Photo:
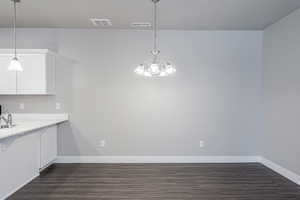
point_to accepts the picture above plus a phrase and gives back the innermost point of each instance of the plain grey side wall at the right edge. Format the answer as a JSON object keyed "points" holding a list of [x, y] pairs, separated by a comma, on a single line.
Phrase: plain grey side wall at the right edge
{"points": [[280, 141]]}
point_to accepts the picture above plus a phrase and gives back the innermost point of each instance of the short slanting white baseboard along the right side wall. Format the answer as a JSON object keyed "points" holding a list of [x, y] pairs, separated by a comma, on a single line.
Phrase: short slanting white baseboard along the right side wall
{"points": [[281, 170]]}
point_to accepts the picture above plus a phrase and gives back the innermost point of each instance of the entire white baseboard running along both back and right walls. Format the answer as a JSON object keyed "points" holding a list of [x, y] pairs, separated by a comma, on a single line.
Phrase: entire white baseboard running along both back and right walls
{"points": [[182, 159]]}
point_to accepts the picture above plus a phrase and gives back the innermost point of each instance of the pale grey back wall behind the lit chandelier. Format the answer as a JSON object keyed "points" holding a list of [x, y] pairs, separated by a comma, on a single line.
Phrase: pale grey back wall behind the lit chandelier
{"points": [[215, 95]]}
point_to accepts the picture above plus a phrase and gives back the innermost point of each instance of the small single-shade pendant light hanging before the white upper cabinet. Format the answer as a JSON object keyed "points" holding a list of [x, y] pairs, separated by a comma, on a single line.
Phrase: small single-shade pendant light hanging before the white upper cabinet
{"points": [[15, 64]]}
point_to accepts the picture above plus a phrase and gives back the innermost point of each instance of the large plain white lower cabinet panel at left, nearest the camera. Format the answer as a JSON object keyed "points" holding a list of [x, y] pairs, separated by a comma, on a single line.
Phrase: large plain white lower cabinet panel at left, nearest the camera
{"points": [[19, 162]]}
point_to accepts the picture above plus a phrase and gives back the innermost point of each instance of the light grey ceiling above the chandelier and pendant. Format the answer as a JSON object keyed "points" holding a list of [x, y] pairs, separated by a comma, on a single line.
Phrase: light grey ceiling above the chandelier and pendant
{"points": [[173, 14]]}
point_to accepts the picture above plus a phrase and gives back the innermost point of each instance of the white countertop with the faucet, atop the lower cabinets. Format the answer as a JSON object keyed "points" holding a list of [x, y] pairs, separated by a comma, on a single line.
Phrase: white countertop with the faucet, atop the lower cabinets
{"points": [[30, 122]]}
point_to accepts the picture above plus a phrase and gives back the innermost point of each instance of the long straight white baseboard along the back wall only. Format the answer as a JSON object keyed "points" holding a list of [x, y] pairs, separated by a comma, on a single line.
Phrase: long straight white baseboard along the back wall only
{"points": [[157, 159]]}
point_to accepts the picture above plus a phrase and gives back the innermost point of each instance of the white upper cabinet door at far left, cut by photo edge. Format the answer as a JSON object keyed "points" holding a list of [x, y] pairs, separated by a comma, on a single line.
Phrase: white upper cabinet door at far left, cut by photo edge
{"points": [[7, 78]]}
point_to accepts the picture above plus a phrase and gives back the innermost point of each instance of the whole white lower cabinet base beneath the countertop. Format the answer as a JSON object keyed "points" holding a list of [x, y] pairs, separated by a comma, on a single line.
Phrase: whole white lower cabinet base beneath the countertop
{"points": [[22, 157]]}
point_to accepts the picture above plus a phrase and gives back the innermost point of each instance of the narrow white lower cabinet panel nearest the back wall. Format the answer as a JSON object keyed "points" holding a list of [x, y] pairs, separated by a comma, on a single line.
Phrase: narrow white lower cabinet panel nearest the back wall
{"points": [[48, 145]]}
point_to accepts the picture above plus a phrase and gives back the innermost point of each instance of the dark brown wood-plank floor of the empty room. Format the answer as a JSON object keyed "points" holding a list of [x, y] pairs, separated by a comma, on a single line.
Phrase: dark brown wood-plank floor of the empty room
{"points": [[159, 181]]}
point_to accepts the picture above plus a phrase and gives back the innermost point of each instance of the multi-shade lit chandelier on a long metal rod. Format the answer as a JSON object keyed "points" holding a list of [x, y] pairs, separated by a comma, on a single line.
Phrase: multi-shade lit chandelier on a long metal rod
{"points": [[155, 68]]}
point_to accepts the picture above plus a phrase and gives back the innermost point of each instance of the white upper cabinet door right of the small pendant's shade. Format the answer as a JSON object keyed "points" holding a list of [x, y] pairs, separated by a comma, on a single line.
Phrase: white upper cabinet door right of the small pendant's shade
{"points": [[33, 78]]}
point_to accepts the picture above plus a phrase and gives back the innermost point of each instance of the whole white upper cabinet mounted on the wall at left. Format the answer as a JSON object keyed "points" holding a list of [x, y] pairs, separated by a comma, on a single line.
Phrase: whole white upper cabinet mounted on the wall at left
{"points": [[37, 77]]}
